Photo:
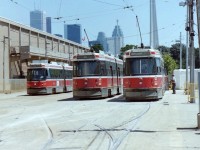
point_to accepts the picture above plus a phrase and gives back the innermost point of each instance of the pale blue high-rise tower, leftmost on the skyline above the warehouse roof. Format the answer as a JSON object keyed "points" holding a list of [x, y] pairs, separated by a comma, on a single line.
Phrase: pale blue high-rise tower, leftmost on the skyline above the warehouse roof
{"points": [[38, 20]]}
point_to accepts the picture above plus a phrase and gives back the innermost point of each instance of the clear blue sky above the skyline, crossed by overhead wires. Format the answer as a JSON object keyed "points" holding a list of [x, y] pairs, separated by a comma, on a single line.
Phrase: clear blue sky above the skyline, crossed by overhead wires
{"points": [[101, 15]]}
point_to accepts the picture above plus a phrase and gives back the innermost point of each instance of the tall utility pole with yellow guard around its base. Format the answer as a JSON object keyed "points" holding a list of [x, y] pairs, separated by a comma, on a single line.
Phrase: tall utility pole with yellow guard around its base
{"points": [[191, 46]]}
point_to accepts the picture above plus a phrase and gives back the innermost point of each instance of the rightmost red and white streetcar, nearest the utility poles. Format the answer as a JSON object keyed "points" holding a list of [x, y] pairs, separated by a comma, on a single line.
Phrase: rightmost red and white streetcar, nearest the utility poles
{"points": [[144, 74]]}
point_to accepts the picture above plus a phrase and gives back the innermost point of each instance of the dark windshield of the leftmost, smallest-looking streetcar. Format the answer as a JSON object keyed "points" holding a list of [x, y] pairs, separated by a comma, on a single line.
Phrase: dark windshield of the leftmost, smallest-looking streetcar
{"points": [[36, 74]]}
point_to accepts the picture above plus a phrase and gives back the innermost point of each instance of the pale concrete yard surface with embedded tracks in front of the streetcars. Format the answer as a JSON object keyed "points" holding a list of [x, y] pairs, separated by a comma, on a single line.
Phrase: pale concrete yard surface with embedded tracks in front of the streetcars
{"points": [[49, 122]]}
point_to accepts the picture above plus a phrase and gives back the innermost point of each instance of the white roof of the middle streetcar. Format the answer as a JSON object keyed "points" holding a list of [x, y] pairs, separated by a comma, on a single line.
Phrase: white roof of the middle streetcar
{"points": [[91, 56]]}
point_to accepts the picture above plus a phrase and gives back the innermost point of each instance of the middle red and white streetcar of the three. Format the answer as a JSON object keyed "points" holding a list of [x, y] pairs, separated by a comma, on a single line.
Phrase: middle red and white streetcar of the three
{"points": [[96, 75]]}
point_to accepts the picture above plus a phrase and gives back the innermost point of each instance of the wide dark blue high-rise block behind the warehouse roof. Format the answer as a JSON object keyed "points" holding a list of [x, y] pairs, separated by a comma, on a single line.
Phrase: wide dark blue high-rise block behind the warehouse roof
{"points": [[72, 32]]}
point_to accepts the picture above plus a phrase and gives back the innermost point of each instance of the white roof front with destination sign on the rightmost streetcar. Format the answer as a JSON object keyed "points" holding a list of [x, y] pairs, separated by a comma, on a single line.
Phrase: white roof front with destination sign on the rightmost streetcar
{"points": [[142, 53]]}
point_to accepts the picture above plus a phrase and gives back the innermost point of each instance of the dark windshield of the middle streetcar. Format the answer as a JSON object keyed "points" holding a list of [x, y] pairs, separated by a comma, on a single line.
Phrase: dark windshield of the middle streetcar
{"points": [[86, 68]]}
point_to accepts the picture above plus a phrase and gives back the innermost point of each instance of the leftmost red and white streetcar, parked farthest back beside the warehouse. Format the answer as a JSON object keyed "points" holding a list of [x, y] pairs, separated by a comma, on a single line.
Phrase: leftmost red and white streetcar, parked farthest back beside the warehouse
{"points": [[48, 78]]}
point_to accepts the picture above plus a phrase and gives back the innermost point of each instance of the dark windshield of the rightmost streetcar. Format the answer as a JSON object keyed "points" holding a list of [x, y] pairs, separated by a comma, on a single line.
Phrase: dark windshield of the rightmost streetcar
{"points": [[140, 66]]}
